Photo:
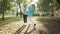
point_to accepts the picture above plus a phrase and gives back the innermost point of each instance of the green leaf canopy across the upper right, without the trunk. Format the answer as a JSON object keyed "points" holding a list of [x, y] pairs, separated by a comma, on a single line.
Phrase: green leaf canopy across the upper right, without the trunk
{"points": [[48, 4]]}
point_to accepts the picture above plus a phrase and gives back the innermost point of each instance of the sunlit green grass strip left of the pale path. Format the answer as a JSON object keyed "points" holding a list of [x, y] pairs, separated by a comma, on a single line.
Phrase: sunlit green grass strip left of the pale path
{"points": [[8, 20]]}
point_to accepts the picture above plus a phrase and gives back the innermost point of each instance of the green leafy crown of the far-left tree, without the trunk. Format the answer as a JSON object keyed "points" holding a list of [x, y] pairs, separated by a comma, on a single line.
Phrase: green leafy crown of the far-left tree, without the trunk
{"points": [[4, 5]]}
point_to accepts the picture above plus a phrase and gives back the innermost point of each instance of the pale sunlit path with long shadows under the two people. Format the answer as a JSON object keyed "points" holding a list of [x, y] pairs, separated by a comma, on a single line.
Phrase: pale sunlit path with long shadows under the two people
{"points": [[18, 27]]}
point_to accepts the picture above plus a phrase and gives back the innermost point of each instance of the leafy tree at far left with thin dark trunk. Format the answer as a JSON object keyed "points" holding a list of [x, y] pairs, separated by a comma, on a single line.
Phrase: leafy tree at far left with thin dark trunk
{"points": [[5, 5]]}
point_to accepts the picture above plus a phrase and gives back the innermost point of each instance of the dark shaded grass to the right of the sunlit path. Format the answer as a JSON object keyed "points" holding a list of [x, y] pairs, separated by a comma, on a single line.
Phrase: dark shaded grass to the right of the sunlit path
{"points": [[51, 23]]}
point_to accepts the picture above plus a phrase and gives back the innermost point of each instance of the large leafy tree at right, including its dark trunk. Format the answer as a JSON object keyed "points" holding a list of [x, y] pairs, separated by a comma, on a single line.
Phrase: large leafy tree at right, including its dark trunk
{"points": [[47, 5]]}
